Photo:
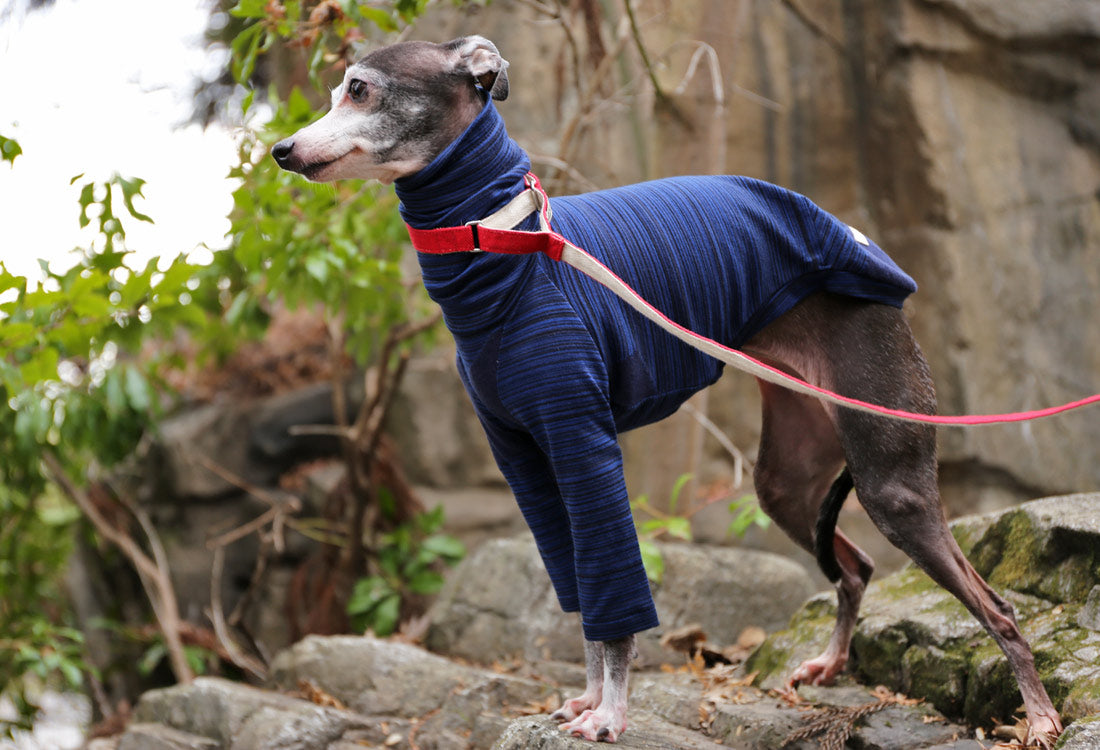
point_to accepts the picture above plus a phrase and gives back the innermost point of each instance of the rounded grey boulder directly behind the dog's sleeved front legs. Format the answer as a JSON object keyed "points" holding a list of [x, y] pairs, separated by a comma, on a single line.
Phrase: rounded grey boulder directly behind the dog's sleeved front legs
{"points": [[483, 615]]}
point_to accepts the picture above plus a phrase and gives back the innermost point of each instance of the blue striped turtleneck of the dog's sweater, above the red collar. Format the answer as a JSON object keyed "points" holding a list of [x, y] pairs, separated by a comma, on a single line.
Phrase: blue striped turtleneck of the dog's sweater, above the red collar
{"points": [[474, 178]]}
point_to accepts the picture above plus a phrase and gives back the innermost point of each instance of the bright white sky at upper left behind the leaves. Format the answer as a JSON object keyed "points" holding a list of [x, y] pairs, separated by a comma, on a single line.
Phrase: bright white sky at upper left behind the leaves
{"points": [[98, 87]]}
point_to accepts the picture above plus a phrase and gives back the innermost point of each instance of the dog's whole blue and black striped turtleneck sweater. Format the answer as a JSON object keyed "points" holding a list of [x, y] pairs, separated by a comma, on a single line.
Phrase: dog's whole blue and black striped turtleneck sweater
{"points": [[557, 366]]}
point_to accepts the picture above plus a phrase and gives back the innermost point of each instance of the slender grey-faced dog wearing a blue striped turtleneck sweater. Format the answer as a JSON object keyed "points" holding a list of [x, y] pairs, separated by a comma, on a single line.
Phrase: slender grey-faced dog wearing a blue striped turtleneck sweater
{"points": [[556, 367]]}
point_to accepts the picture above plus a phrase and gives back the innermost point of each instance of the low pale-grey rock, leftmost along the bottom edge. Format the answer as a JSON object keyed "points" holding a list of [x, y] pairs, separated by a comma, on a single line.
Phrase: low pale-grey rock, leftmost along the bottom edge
{"points": [[244, 718]]}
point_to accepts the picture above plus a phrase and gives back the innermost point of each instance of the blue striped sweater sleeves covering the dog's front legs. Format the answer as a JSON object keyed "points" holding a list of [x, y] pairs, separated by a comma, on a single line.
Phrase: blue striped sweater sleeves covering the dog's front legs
{"points": [[564, 462]]}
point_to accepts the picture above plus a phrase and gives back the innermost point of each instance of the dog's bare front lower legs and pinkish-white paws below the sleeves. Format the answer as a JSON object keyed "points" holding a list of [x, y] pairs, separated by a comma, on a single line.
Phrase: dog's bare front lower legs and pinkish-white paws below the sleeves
{"points": [[609, 667]]}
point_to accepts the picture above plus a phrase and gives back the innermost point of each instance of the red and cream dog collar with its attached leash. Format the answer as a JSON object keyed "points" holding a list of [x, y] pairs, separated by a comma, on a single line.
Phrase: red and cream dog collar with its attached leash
{"points": [[488, 236]]}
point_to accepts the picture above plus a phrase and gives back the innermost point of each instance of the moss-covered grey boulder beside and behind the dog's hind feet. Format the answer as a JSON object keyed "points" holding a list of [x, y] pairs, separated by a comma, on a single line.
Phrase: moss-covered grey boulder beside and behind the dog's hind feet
{"points": [[914, 637]]}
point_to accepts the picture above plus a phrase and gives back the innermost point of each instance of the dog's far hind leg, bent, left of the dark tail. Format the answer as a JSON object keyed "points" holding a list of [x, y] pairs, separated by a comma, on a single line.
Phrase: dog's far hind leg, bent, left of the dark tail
{"points": [[800, 457]]}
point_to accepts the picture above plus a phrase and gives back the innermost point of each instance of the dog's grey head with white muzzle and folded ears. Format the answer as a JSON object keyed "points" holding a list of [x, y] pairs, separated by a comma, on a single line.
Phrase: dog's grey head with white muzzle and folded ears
{"points": [[397, 109]]}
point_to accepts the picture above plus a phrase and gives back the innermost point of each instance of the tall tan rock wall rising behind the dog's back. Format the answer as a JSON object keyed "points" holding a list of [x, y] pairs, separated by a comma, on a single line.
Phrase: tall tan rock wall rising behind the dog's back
{"points": [[962, 135]]}
